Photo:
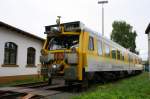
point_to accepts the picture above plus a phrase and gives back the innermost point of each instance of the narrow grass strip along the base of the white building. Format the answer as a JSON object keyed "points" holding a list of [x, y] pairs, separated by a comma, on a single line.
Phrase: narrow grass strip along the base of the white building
{"points": [[25, 81]]}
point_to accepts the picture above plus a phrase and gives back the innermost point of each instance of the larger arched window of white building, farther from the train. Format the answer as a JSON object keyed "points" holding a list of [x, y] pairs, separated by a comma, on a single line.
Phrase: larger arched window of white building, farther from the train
{"points": [[10, 54]]}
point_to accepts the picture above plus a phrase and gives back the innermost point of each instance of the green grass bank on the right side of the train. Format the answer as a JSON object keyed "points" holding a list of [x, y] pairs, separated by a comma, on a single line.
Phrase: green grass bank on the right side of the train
{"points": [[136, 87]]}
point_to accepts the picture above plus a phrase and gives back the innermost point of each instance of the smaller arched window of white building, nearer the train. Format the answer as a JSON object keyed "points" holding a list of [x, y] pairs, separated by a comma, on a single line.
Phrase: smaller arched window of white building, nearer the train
{"points": [[30, 56]]}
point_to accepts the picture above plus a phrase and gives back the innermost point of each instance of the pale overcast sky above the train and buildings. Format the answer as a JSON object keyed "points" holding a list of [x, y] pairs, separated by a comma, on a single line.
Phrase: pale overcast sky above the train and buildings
{"points": [[33, 15]]}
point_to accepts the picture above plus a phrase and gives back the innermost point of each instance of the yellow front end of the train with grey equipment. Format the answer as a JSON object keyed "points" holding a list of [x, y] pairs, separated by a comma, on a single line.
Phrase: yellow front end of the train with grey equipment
{"points": [[61, 53]]}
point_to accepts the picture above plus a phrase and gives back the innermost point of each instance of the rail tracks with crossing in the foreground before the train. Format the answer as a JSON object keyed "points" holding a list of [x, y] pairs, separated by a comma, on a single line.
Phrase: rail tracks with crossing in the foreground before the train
{"points": [[39, 90]]}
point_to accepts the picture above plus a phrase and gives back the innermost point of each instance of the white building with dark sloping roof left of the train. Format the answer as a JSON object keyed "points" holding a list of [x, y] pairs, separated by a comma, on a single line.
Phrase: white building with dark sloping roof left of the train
{"points": [[19, 53]]}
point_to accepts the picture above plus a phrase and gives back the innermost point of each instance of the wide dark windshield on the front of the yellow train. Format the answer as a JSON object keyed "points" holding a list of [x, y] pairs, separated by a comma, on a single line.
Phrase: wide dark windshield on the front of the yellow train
{"points": [[63, 42]]}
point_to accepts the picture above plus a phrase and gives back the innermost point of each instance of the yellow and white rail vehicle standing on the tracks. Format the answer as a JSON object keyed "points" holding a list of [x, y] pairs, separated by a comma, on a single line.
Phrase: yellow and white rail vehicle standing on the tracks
{"points": [[76, 53]]}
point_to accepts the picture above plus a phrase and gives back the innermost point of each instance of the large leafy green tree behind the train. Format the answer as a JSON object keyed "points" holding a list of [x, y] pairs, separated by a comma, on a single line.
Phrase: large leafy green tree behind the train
{"points": [[122, 34]]}
